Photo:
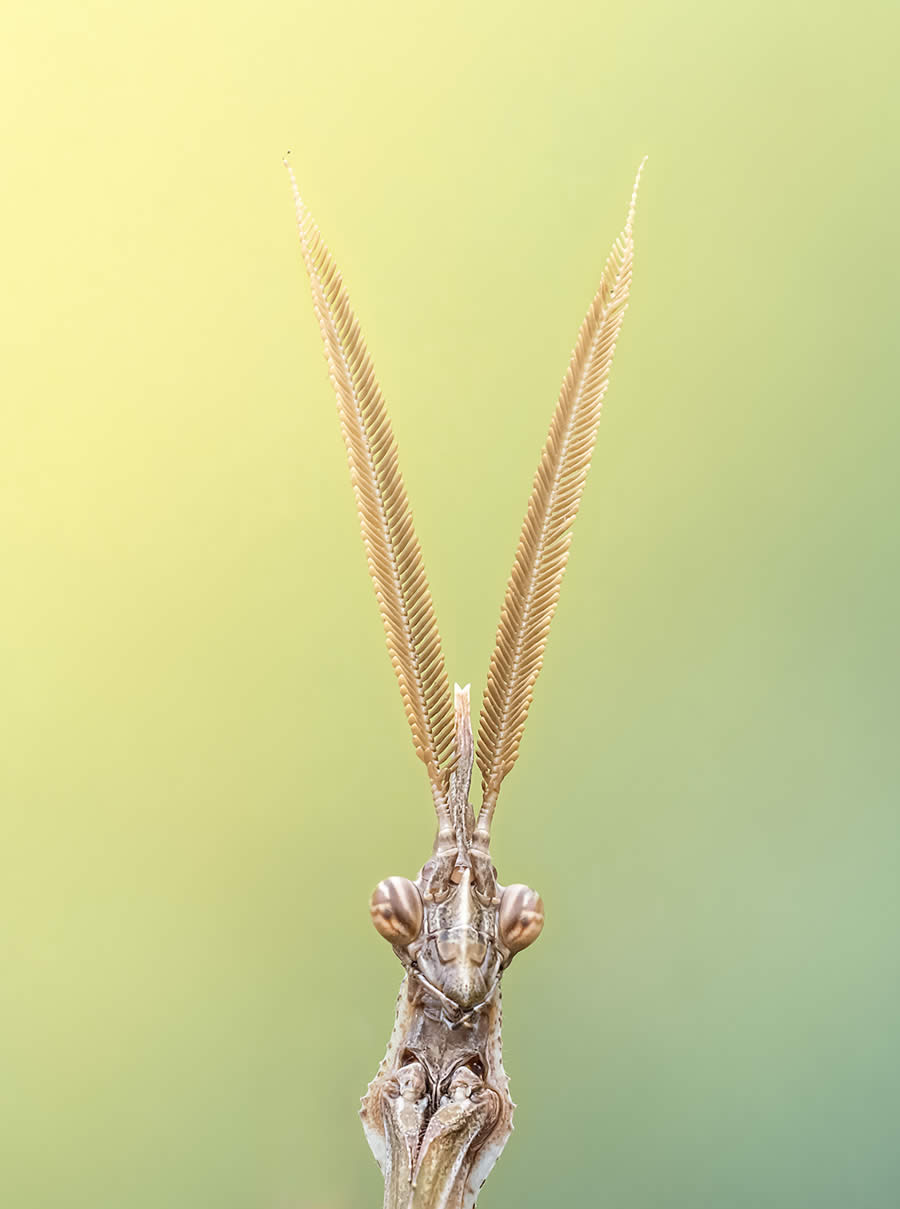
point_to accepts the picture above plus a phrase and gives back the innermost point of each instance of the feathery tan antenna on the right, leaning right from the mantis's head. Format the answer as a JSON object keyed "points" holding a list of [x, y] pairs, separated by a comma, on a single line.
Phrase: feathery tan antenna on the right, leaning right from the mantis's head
{"points": [[533, 591]]}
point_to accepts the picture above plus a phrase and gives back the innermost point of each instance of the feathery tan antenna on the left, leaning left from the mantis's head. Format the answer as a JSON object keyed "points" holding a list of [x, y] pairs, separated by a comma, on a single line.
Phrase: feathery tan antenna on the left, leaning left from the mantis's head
{"points": [[391, 546]]}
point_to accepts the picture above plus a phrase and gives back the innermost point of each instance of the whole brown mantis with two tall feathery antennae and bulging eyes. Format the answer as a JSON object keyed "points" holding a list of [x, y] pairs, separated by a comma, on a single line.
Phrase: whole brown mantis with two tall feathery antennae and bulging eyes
{"points": [[439, 1113]]}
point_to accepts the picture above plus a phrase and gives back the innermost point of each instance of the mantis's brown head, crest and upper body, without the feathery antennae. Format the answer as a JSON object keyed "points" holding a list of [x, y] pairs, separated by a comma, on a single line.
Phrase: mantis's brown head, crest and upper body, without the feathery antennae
{"points": [[439, 1113]]}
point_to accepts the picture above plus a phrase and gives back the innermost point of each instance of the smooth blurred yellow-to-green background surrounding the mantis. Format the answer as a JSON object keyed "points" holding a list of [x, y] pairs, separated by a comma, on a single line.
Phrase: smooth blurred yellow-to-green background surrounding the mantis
{"points": [[205, 761]]}
